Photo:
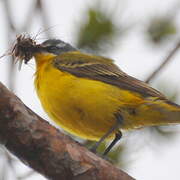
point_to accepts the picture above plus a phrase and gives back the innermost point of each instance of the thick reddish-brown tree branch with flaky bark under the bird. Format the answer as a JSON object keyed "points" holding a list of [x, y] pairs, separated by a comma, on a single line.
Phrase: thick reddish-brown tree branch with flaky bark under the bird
{"points": [[42, 147]]}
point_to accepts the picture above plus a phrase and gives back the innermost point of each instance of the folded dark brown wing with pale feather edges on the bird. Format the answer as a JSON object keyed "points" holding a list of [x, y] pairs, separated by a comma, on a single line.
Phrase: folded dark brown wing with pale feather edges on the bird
{"points": [[102, 69]]}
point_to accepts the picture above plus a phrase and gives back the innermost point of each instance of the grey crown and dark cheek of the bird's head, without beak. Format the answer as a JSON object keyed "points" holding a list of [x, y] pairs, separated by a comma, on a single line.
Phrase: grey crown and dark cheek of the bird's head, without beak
{"points": [[57, 46]]}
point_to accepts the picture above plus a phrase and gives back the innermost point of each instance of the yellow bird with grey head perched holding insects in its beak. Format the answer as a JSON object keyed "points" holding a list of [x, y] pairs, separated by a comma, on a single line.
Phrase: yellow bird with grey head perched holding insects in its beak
{"points": [[89, 96]]}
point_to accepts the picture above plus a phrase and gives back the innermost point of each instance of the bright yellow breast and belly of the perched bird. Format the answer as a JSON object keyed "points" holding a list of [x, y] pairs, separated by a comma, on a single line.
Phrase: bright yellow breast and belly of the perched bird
{"points": [[83, 107]]}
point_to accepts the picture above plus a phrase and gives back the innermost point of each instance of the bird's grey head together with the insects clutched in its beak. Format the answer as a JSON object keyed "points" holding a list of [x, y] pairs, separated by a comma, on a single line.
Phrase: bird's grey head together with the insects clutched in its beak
{"points": [[25, 48]]}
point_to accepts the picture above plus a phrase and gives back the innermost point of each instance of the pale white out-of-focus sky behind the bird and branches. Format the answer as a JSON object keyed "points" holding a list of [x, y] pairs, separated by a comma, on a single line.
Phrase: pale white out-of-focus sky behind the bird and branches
{"points": [[133, 55]]}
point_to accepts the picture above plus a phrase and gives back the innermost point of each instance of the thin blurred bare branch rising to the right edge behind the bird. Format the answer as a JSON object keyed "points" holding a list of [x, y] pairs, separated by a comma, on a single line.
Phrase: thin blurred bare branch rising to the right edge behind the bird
{"points": [[164, 63]]}
